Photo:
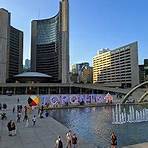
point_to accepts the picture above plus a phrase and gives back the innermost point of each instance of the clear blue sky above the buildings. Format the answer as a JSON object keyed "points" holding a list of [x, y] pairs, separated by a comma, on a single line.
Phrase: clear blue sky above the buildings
{"points": [[94, 24]]}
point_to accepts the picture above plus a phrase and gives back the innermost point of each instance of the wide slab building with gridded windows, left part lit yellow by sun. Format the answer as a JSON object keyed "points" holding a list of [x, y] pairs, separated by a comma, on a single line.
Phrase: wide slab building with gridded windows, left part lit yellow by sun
{"points": [[117, 67]]}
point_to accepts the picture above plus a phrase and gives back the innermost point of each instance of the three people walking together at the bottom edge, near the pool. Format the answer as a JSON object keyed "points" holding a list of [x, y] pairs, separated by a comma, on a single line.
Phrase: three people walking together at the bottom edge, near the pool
{"points": [[71, 140]]}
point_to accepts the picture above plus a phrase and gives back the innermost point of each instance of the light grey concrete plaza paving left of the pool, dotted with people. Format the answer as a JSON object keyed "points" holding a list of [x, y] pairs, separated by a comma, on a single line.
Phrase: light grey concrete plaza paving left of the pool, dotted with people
{"points": [[43, 135]]}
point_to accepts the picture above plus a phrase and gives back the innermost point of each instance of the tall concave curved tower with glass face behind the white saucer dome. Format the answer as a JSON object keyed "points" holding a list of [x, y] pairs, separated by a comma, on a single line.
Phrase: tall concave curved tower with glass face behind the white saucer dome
{"points": [[50, 45]]}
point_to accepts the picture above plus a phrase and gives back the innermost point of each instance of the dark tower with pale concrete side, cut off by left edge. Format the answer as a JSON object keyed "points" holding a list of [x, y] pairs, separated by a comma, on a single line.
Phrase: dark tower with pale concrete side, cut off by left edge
{"points": [[11, 48]]}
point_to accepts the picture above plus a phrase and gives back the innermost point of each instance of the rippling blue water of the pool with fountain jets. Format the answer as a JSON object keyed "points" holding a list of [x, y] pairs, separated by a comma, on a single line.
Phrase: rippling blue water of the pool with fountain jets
{"points": [[95, 124]]}
